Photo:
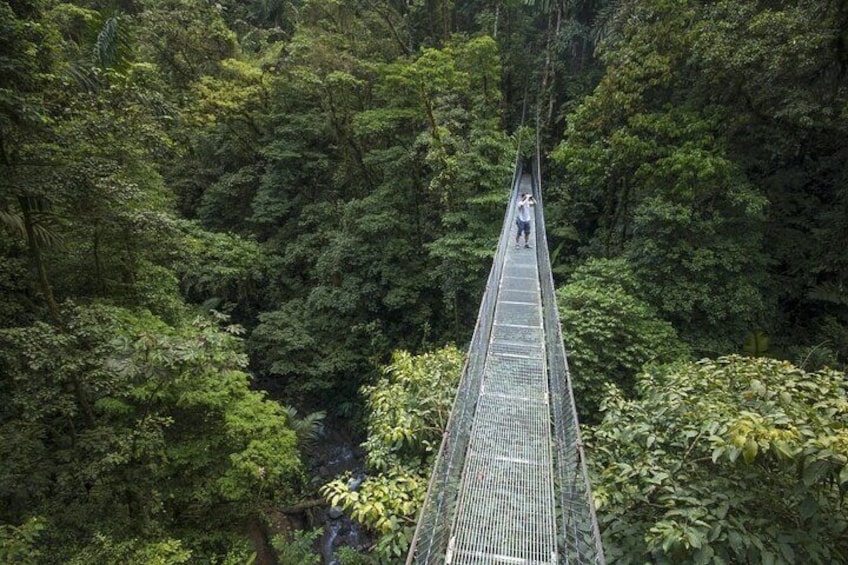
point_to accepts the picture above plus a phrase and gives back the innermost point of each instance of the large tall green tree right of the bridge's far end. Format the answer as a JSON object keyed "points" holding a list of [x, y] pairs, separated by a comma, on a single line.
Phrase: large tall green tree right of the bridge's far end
{"points": [[651, 179]]}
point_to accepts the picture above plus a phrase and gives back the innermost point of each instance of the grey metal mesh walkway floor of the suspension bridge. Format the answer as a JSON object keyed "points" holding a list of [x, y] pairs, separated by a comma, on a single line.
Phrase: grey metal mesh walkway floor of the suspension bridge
{"points": [[505, 512]]}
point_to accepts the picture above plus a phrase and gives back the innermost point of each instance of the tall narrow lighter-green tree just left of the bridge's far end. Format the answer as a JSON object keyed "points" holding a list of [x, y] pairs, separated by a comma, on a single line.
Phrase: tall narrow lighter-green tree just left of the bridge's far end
{"points": [[453, 91]]}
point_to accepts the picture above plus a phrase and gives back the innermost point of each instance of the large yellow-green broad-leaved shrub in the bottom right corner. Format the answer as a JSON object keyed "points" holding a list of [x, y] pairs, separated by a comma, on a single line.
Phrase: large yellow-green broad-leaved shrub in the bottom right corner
{"points": [[734, 460]]}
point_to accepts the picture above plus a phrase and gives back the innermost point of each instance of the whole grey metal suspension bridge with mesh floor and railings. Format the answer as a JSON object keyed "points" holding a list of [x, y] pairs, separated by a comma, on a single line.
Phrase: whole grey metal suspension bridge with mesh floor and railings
{"points": [[509, 485]]}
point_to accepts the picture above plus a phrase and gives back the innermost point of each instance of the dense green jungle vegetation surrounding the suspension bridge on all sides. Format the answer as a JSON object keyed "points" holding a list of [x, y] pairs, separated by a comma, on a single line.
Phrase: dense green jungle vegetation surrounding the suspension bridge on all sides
{"points": [[225, 221]]}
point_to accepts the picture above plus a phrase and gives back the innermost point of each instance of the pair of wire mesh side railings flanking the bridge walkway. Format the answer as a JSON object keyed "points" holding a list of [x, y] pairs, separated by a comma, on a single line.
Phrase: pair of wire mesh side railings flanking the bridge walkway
{"points": [[579, 535]]}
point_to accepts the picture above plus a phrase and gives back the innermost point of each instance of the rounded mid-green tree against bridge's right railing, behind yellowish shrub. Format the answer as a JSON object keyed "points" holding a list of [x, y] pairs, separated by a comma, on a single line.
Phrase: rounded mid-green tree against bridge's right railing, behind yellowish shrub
{"points": [[610, 333]]}
